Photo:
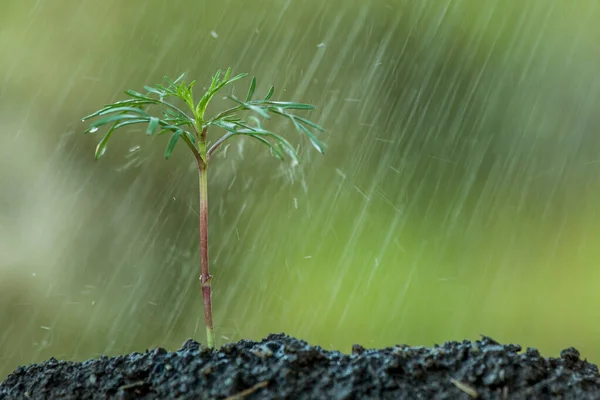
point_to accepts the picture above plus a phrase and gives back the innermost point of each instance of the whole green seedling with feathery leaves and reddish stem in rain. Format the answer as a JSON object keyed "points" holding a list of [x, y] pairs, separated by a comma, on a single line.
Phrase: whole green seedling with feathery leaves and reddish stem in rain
{"points": [[191, 127]]}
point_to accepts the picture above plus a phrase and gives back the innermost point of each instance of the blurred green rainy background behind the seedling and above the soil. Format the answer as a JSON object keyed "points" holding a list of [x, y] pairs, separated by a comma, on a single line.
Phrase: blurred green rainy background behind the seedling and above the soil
{"points": [[459, 194]]}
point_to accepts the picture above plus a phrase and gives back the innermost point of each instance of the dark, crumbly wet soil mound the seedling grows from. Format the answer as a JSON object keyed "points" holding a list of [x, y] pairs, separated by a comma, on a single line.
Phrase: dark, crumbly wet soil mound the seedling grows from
{"points": [[281, 367]]}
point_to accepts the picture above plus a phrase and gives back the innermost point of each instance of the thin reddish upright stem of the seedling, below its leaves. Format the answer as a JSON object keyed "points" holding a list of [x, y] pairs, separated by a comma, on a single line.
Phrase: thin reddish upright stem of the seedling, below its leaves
{"points": [[205, 277]]}
